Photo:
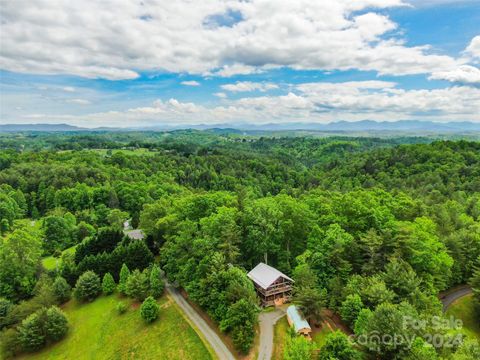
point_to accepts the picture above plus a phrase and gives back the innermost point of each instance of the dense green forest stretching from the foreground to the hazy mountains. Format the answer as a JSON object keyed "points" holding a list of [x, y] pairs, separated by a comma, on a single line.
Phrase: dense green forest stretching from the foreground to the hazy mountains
{"points": [[372, 229]]}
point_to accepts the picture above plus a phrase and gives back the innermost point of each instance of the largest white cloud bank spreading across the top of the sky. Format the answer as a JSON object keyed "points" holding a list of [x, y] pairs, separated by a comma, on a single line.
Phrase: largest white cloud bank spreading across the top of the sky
{"points": [[118, 40]]}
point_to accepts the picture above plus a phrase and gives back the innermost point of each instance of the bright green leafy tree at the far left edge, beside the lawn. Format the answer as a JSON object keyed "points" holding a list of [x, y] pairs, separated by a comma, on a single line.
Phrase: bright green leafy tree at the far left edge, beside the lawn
{"points": [[20, 255]]}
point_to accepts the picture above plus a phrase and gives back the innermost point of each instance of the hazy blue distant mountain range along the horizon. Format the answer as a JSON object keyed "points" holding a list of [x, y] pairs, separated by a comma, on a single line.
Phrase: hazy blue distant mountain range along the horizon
{"points": [[340, 126]]}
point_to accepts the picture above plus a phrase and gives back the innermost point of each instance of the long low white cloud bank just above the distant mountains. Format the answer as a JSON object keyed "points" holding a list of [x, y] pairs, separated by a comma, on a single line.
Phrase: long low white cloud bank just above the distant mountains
{"points": [[311, 102]]}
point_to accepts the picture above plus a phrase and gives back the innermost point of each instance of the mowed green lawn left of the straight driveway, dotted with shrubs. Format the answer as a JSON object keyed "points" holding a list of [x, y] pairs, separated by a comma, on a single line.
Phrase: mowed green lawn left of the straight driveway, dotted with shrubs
{"points": [[97, 331]]}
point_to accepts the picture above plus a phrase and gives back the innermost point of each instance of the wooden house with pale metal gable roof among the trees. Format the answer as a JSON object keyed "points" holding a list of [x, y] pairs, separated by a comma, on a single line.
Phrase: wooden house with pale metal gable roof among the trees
{"points": [[272, 286]]}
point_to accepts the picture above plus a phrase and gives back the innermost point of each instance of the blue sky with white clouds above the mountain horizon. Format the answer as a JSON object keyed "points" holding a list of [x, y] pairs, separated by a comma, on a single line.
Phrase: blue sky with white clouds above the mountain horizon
{"points": [[141, 63]]}
